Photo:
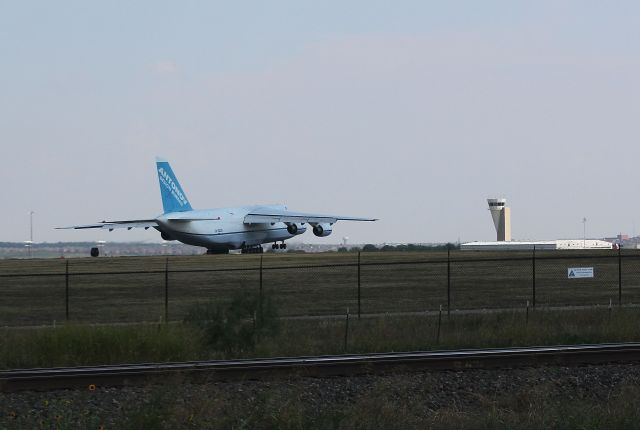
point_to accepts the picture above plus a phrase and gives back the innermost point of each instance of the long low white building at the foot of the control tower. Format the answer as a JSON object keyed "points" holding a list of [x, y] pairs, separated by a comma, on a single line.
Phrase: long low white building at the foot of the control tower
{"points": [[538, 245]]}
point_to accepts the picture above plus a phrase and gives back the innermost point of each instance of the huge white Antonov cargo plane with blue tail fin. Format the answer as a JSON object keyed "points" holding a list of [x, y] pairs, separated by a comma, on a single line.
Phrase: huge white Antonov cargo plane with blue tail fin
{"points": [[223, 229]]}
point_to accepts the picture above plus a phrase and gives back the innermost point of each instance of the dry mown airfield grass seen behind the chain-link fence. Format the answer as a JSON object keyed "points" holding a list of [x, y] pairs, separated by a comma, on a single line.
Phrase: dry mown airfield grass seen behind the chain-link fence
{"points": [[108, 290]]}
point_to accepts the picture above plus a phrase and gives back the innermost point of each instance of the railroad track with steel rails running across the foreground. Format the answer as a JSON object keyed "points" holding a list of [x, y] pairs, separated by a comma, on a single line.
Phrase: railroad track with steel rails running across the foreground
{"points": [[321, 366]]}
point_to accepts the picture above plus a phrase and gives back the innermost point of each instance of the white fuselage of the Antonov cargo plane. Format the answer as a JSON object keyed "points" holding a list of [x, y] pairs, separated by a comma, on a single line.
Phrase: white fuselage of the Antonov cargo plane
{"points": [[222, 228]]}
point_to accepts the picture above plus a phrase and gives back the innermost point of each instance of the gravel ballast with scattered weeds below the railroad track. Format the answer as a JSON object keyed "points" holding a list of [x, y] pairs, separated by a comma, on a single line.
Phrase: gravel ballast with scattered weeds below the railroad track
{"points": [[526, 397]]}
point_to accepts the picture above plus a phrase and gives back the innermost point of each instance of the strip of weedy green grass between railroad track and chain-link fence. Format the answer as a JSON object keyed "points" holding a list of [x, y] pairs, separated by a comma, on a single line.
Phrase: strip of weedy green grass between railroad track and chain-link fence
{"points": [[74, 345]]}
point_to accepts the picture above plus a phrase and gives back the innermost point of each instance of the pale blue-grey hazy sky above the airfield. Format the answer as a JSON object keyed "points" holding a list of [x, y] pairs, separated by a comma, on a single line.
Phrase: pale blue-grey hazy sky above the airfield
{"points": [[411, 111]]}
